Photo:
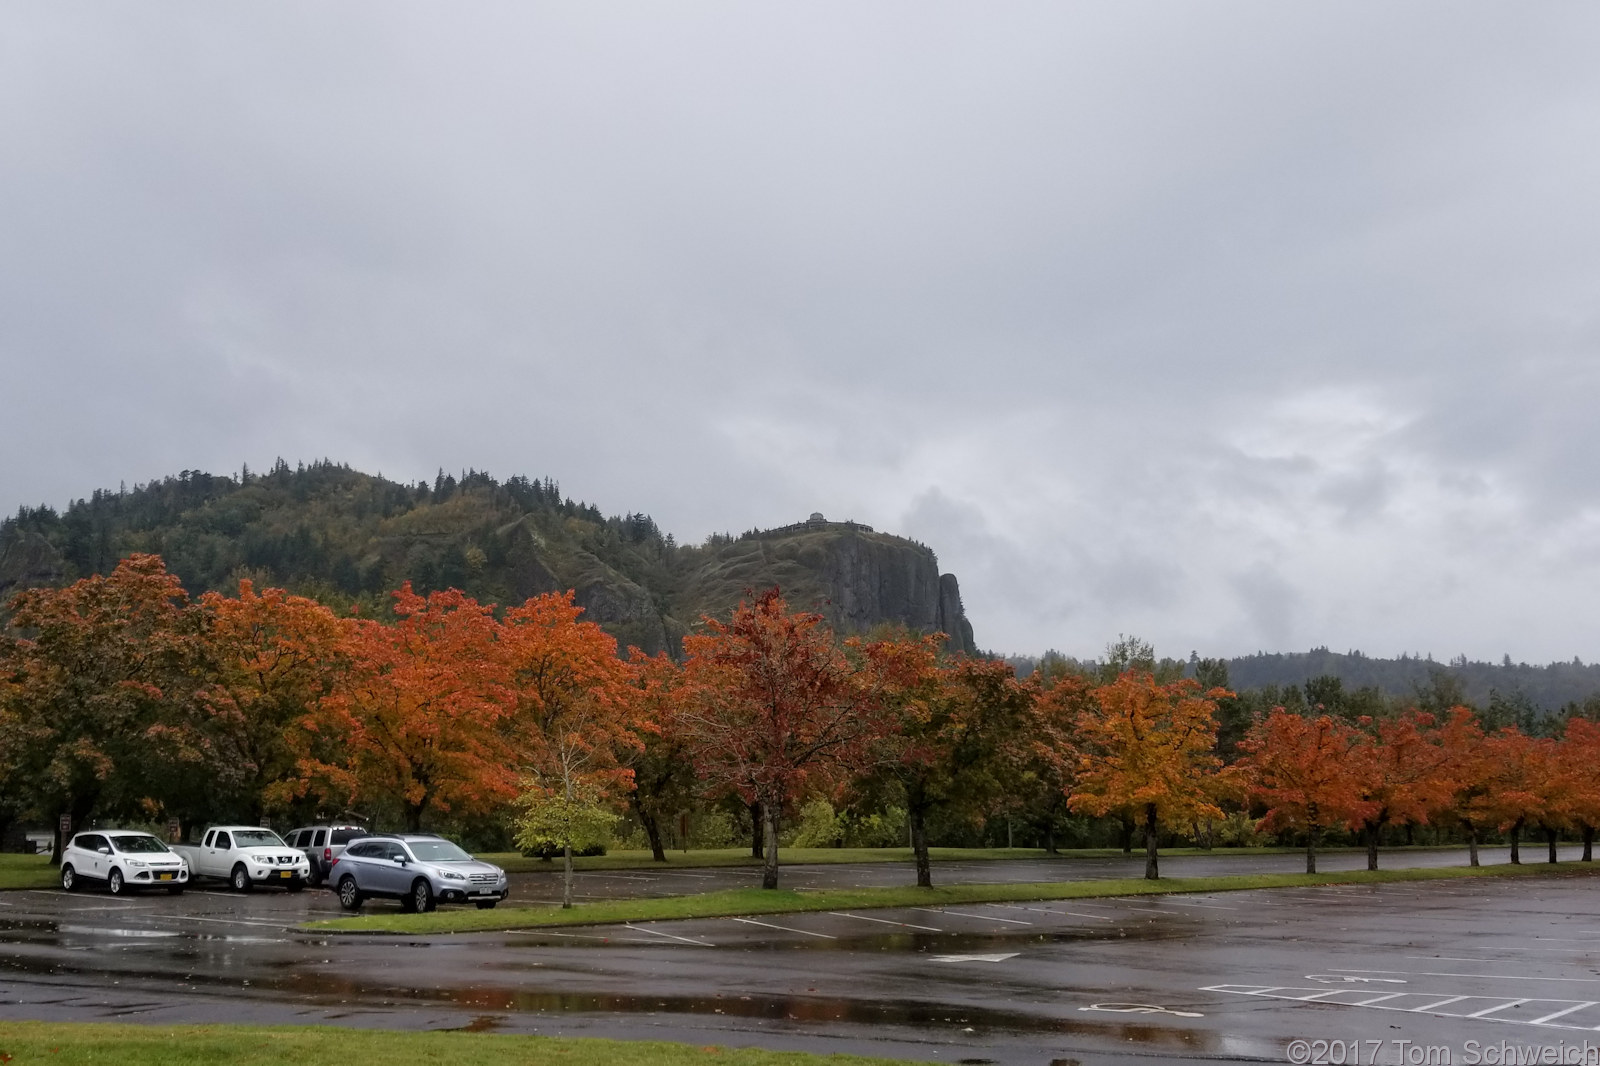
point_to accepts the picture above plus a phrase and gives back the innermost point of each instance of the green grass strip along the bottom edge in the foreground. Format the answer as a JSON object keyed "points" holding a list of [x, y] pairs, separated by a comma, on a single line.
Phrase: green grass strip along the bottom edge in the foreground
{"points": [[63, 1044]]}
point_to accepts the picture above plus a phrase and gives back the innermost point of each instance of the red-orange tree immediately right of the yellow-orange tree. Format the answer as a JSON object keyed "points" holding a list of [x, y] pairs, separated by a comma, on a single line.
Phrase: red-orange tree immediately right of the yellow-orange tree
{"points": [[1300, 769]]}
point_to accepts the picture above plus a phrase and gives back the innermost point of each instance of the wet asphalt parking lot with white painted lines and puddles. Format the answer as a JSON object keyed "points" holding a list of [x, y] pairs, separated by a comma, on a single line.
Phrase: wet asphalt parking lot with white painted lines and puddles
{"points": [[1404, 974]]}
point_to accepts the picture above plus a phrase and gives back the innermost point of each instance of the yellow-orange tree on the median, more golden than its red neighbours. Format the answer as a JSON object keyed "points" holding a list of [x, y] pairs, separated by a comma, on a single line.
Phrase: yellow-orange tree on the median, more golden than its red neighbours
{"points": [[1148, 755]]}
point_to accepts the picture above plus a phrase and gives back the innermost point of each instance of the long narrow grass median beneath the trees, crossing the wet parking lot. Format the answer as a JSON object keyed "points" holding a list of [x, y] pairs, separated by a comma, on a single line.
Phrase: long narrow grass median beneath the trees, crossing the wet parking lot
{"points": [[758, 902]]}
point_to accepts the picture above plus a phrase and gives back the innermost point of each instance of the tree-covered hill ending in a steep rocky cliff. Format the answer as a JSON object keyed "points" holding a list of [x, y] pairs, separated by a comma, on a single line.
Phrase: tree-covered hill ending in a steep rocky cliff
{"points": [[351, 539]]}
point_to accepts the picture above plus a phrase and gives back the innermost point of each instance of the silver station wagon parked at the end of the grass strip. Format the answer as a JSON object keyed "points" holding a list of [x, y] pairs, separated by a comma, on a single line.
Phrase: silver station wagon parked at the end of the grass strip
{"points": [[420, 872]]}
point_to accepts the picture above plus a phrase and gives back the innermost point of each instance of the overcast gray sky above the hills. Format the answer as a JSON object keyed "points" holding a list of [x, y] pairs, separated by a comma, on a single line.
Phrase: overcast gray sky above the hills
{"points": [[1231, 326]]}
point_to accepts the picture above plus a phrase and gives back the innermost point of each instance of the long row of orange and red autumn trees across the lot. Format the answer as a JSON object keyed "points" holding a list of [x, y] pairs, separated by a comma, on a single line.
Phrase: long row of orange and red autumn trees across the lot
{"points": [[124, 699]]}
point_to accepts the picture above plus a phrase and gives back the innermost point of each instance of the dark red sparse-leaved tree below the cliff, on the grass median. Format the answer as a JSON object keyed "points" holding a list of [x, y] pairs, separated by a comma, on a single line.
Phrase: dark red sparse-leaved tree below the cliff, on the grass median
{"points": [[777, 707]]}
